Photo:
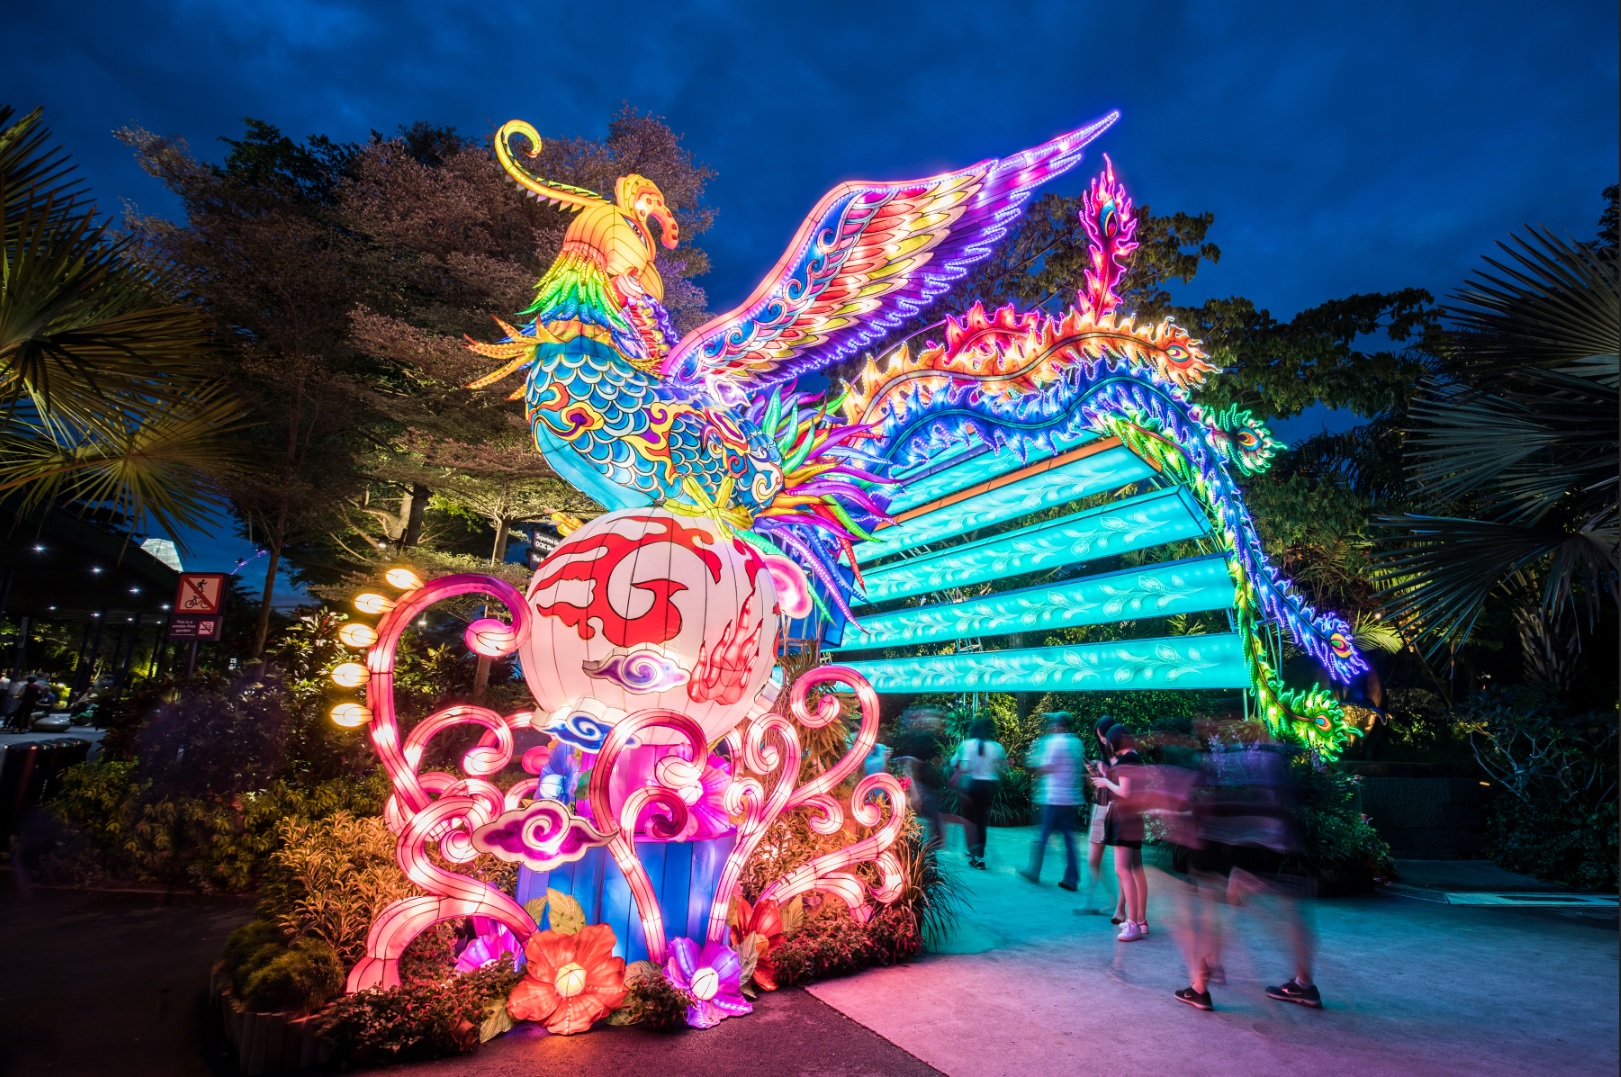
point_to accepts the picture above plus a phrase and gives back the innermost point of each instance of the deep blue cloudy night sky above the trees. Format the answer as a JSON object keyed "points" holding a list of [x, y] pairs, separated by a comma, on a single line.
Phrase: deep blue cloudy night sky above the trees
{"points": [[1343, 148]]}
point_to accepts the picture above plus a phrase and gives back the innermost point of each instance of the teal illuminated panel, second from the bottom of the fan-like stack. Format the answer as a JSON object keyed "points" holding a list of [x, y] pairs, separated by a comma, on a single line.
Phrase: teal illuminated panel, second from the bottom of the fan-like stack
{"points": [[1157, 591]]}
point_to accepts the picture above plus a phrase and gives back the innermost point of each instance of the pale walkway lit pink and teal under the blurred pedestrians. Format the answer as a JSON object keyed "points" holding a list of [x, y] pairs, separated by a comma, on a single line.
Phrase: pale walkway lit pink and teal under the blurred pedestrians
{"points": [[1409, 989]]}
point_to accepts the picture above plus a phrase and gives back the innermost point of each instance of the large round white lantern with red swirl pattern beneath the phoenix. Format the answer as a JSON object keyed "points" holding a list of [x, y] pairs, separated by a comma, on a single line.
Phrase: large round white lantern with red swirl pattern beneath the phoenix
{"points": [[648, 609]]}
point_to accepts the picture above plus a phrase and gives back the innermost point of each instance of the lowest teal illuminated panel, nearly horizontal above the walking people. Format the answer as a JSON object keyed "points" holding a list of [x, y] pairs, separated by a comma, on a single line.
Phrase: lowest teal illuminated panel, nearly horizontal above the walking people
{"points": [[1171, 663]]}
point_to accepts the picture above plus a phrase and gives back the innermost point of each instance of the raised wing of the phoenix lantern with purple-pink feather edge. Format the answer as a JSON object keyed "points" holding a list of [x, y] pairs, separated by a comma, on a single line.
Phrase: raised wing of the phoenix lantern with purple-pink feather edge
{"points": [[866, 260]]}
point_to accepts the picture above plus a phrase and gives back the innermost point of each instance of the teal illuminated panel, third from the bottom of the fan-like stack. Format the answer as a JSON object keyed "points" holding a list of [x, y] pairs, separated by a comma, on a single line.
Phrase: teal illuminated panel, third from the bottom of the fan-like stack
{"points": [[1137, 523]]}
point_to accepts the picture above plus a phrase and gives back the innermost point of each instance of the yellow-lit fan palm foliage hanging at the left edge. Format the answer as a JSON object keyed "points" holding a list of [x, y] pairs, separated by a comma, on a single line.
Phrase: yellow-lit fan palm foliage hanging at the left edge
{"points": [[105, 382]]}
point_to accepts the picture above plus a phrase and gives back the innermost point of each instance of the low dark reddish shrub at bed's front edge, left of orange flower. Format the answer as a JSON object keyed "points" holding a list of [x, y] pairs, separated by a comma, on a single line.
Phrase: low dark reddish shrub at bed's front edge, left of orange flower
{"points": [[417, 1019]]}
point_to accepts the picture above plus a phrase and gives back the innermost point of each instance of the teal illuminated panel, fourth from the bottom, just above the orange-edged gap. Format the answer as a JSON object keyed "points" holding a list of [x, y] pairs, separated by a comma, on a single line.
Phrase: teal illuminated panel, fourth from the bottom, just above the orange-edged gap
{"points": [[1077, 479]]}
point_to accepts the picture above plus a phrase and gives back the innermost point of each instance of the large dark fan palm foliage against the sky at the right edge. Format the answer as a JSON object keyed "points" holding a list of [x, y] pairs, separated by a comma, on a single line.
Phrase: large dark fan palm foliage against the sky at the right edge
{"points": [[1523, 440]]}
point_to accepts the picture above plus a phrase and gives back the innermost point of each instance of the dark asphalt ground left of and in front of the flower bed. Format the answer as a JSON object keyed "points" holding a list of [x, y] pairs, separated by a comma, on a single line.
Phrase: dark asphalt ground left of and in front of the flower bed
{"points": [[96, 984]]}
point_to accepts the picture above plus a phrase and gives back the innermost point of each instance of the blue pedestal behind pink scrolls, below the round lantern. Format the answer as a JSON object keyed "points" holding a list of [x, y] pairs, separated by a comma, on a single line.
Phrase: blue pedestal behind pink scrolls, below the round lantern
{"points": [[683, 875]]}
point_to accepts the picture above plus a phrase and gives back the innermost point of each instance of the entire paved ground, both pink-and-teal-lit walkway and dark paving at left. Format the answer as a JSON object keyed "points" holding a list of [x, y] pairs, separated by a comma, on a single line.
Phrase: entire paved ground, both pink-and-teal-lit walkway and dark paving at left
{"points": [[96, 982]]}
